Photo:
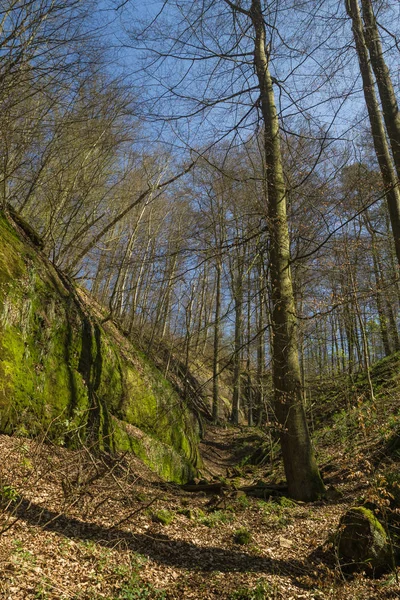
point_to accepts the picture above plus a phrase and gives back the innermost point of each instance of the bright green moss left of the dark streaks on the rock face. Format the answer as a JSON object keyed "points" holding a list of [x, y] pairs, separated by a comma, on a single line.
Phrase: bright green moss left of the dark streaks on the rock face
{"points": [[35, 358]]}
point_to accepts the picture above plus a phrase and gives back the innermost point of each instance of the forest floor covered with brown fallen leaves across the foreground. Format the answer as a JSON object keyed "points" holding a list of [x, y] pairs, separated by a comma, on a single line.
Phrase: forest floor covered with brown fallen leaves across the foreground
{"points": [[78, 526]]}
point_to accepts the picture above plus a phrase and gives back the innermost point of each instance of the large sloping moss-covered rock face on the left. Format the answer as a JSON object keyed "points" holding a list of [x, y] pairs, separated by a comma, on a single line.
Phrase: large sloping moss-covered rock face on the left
{"points": [[65, 376]]}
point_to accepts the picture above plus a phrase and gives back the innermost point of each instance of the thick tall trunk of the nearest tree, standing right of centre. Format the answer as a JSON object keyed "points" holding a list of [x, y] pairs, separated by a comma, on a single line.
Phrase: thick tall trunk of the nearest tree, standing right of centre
{"points": [[303, 478]]}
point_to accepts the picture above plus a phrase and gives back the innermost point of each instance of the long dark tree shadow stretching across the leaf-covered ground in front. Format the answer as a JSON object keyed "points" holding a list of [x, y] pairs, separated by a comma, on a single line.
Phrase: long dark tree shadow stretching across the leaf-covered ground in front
{"points": [[159, 547]]}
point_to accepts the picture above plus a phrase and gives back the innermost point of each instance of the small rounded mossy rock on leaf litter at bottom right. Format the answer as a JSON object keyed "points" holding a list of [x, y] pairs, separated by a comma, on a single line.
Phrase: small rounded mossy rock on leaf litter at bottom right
{"points": [[362, 542]]}
